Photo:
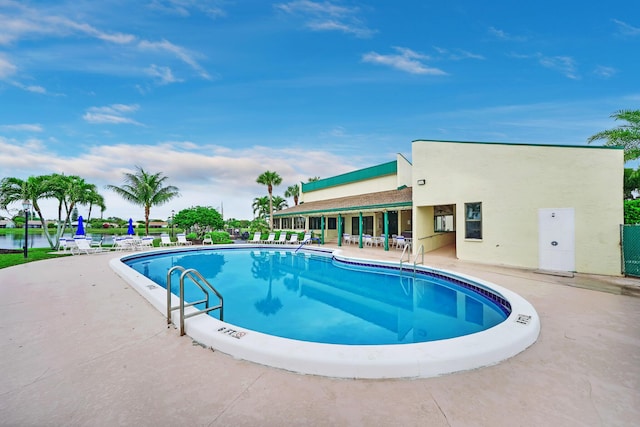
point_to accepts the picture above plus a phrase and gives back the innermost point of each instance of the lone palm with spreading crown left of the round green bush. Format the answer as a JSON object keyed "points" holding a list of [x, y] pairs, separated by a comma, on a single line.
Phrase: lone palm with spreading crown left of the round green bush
{"points": [[145, 189]]}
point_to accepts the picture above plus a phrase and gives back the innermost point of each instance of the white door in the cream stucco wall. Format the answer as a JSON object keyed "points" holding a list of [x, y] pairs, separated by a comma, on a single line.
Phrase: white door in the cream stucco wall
{"points": [[556, 228]]}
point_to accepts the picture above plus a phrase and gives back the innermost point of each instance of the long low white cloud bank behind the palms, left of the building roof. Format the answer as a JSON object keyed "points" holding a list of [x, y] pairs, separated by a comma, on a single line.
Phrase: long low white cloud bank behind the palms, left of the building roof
{"points": [[212, 176]]}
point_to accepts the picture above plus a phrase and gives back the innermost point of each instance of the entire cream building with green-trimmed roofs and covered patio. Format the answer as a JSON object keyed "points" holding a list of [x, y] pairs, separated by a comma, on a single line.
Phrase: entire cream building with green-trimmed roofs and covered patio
{"points": [[547, 207]]}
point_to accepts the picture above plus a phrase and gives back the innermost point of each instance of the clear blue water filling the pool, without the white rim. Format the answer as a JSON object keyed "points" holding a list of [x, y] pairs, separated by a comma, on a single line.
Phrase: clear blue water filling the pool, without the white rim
{"points": [[313, 297]]}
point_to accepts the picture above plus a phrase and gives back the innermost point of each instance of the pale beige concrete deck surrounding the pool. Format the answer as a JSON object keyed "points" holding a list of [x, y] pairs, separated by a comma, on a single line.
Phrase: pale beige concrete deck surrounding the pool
{"points": [[80, 347]]}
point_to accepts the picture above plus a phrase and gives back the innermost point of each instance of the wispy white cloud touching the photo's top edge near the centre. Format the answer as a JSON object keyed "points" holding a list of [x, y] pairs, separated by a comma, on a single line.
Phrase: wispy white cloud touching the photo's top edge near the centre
{"points": [[327, 16]]}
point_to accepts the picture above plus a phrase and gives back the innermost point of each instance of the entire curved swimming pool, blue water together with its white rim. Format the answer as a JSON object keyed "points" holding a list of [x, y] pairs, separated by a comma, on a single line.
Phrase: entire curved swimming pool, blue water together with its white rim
{"points": [[368, 357]]}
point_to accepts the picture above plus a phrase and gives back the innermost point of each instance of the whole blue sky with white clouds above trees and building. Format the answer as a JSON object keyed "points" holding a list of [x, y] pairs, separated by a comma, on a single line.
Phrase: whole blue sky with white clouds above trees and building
{"points": [[213, 93]]}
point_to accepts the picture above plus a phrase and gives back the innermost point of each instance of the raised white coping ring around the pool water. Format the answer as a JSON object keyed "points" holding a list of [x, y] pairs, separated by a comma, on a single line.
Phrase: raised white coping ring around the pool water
{"points": [[421, 360]]}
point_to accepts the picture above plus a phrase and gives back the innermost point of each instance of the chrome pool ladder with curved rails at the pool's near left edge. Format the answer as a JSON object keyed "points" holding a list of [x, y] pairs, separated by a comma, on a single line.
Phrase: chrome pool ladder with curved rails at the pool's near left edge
{"points": [[201, 282]]}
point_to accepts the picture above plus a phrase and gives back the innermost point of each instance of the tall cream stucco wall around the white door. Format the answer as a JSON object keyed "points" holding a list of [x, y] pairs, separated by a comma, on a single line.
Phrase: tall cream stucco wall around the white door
{"points": [[513, 182]]}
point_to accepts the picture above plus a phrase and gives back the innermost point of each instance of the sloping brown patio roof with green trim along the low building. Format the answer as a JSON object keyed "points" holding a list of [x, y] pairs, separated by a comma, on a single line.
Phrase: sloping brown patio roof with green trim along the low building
{"points": [[389, 200]]}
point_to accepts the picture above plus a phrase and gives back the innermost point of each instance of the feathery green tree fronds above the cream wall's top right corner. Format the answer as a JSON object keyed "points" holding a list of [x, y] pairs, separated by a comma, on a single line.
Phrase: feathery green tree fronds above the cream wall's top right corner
{"points": [[626, 135]]}
